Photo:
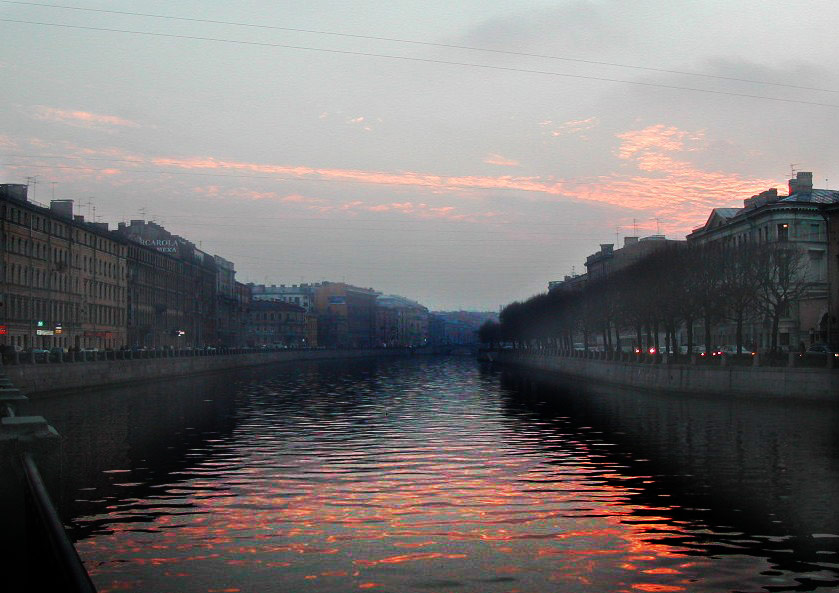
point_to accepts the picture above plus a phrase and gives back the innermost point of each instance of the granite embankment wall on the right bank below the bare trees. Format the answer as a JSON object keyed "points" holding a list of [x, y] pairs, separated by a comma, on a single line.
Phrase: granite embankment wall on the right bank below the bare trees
{"points": [[729, 381]]}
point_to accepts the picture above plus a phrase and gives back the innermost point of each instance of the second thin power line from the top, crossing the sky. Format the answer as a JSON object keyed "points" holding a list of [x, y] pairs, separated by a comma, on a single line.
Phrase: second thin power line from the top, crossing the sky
{"points": [[421, 60]]}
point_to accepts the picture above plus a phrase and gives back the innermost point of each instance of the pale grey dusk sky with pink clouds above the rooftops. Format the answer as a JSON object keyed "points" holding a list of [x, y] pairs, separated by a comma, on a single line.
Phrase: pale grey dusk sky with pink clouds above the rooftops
{"points": [[462, 154]]}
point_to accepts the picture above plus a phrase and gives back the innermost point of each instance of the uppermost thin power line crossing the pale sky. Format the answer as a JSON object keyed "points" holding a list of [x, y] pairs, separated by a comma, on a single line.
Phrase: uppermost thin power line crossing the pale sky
{"points": [[423, 43]]}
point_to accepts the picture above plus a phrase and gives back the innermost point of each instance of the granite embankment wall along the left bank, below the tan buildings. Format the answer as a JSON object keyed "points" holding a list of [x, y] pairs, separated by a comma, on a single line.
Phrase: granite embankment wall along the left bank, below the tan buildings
{"points": [[42, 377]]}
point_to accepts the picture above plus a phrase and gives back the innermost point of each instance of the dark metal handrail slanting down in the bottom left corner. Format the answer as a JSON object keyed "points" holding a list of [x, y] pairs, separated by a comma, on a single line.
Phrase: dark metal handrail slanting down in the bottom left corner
{"points": [[62, 548]]}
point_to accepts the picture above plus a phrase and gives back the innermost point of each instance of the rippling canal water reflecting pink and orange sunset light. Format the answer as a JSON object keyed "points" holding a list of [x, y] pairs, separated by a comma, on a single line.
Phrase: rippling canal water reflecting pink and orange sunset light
{"points": [[437, 474]]}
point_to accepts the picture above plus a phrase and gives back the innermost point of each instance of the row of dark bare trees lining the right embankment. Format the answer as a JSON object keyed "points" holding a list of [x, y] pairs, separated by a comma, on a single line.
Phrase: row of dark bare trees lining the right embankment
{"points": [[675, 287]]}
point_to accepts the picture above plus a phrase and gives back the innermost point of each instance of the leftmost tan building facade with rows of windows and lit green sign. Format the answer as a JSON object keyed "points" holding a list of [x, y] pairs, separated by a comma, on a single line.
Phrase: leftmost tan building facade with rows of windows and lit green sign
{"points": [[63, 279]]}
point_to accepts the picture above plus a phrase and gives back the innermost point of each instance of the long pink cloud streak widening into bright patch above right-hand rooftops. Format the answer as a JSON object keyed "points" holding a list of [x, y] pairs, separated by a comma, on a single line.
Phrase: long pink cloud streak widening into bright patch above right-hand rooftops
{"points": [[680, 193]]}
